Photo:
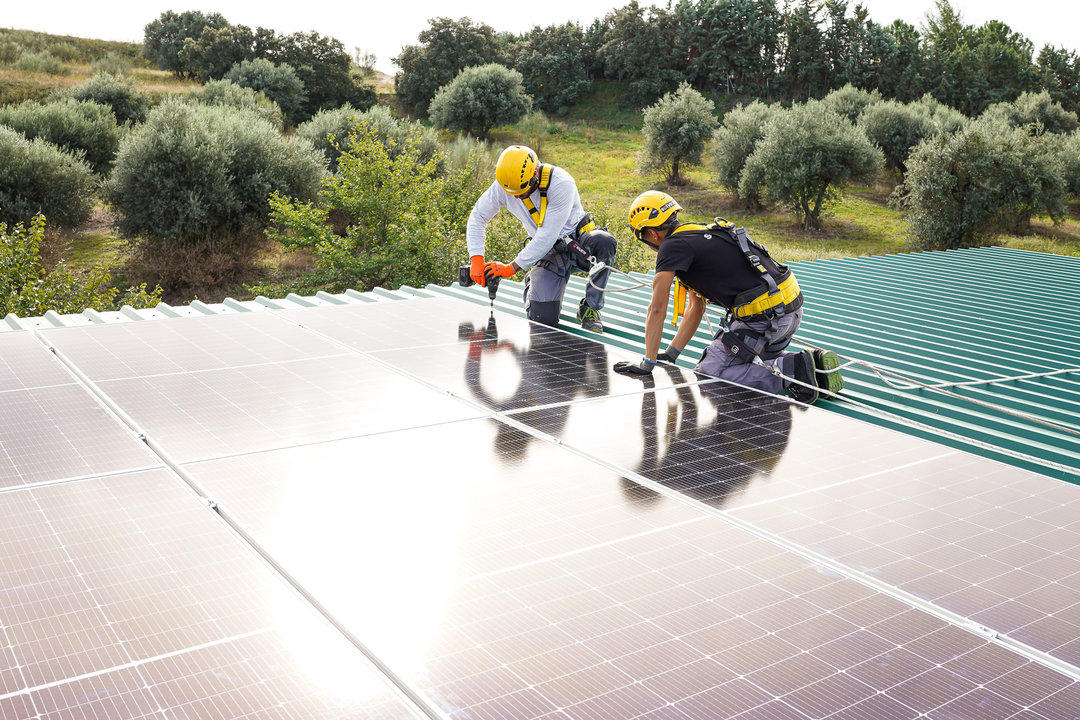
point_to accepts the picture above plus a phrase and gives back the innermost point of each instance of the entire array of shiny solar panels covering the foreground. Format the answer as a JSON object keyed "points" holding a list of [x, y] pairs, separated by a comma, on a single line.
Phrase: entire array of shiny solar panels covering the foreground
{"points": [[480, 520]]}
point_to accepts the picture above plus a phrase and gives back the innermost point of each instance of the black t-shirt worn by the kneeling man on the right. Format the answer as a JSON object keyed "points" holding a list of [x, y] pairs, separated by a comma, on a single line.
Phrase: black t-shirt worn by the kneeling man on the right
{"points": [[706, 262]]}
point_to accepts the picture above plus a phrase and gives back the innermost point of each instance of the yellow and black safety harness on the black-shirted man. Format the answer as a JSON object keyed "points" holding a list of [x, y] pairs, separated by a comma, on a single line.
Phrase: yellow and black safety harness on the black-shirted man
{"points": [[781, 296]]}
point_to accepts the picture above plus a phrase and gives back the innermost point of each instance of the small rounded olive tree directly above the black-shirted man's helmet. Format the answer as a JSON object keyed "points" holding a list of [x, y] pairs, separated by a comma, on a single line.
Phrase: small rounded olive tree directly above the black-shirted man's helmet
{"points": [[676, 131]]}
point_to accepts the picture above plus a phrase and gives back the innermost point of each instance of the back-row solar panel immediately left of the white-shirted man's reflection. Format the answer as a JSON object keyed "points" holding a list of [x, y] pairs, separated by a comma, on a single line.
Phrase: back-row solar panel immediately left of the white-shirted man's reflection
{"points": [[206, 401]]}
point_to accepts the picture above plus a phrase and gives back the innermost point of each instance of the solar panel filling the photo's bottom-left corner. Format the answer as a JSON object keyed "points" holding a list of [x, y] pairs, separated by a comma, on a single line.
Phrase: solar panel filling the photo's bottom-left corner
{"points": [[125, 597]]}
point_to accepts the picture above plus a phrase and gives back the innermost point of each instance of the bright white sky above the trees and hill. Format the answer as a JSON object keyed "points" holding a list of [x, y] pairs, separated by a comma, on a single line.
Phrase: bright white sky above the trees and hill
{"points": [[384, 28]]}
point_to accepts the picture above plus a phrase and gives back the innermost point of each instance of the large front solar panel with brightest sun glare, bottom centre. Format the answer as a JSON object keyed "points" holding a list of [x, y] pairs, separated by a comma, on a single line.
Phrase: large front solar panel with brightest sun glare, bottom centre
{"points": [[518, 579]]}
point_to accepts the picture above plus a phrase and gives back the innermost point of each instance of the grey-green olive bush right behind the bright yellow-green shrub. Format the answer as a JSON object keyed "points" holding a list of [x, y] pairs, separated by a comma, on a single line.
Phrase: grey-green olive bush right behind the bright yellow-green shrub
{"points": [[341, 125]]}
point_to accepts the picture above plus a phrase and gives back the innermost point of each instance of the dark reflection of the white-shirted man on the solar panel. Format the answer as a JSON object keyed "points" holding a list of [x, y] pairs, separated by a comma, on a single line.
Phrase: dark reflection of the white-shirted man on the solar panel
{"points": [[552, 371]]}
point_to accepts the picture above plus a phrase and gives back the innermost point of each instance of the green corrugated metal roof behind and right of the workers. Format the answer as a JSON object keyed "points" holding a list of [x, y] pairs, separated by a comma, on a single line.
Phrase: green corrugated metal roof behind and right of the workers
{"points": [[939, 317]]}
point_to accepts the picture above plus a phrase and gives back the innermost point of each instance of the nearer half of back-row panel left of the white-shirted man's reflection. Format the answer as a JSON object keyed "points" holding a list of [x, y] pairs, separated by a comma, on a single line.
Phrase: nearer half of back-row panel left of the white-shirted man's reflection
{"points": [[225, 412]]}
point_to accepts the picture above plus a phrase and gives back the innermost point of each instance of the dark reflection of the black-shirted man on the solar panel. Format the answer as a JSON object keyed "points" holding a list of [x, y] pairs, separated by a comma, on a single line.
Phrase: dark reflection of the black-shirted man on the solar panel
{"points": [[711, 461]]}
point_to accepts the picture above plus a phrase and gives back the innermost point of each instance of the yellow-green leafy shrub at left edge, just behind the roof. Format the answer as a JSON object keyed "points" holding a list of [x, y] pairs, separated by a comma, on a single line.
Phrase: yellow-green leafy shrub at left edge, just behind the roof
{"points": [[28, 289]]}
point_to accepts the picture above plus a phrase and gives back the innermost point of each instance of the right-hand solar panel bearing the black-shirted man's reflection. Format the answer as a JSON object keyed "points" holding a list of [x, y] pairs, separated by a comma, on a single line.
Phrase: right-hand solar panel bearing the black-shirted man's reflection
{"points": [[988, 541]]}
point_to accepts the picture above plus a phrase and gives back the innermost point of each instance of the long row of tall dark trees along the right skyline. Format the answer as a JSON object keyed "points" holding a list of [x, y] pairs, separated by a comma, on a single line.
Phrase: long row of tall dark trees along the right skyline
{"points": [[748, 49]]}
